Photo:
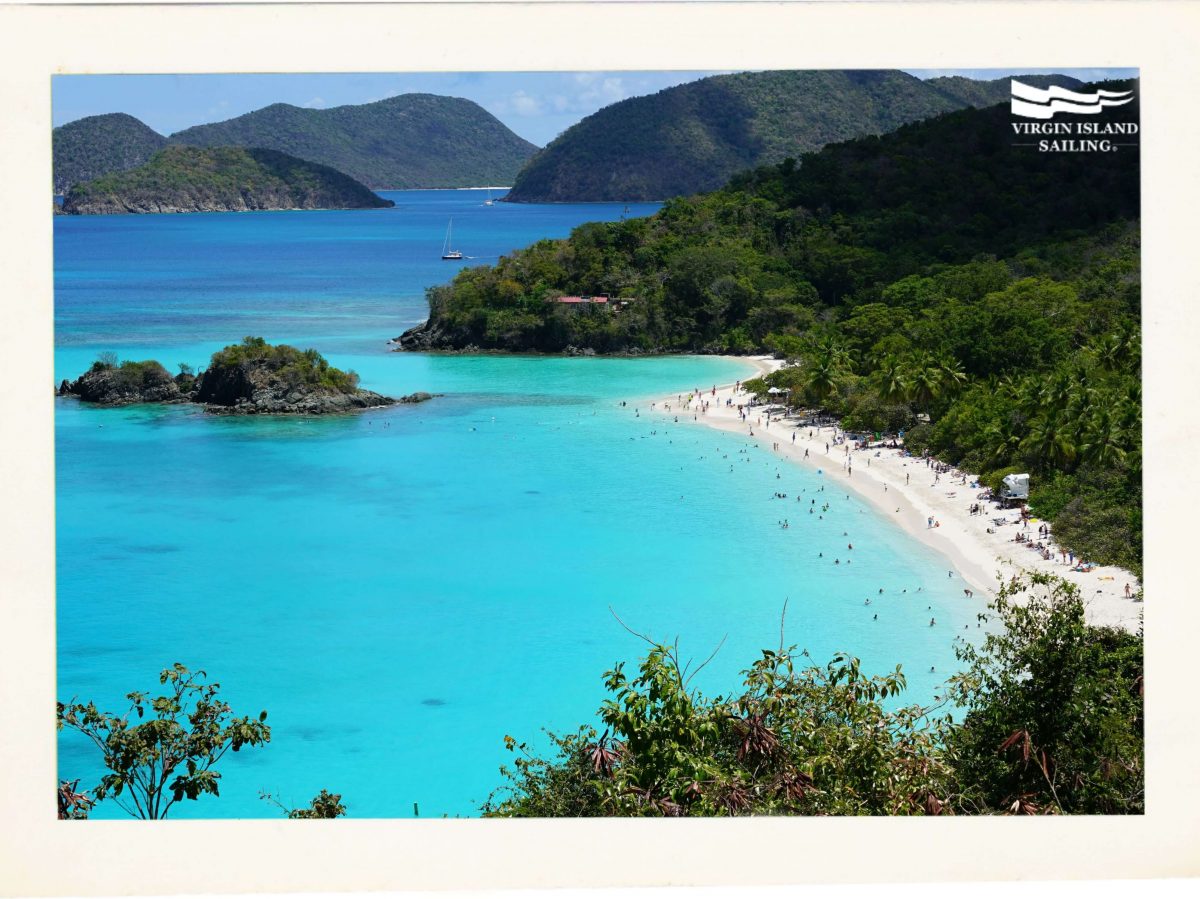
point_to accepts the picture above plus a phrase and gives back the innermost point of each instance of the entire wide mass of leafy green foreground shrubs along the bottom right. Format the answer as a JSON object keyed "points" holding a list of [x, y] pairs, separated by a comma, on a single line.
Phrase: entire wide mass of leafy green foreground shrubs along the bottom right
{"points": [[1047, 718]]}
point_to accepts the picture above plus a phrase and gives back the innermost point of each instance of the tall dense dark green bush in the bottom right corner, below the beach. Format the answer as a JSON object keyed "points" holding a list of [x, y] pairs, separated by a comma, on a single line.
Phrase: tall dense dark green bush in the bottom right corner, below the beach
{"points": [[1053, 712]]}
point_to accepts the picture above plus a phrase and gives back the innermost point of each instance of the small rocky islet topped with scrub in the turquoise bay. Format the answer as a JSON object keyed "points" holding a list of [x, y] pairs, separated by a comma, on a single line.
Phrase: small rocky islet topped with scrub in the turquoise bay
{"points": [[248, 379]]}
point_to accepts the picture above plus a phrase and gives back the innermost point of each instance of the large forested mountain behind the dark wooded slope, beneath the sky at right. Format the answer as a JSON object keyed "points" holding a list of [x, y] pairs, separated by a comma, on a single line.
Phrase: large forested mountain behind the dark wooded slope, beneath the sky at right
{"points": [[697, 136]]}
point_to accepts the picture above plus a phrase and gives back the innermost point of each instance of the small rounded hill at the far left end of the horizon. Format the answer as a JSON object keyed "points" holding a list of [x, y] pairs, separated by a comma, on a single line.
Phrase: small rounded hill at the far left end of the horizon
{"points": [[99, 146]]}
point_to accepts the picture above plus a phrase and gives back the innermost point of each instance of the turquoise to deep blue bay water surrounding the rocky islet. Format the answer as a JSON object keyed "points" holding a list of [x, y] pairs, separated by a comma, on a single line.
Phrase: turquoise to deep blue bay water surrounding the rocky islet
{"points": [[403, 589]]}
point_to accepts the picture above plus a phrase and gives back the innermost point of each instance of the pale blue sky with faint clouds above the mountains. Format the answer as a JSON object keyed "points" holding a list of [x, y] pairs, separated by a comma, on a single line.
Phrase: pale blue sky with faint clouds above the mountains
{"points": [[538, 106]]}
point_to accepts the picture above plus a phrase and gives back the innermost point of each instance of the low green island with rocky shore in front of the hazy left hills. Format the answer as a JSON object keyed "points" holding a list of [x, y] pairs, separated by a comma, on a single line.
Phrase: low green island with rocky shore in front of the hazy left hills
{"points": [[223, 179]]}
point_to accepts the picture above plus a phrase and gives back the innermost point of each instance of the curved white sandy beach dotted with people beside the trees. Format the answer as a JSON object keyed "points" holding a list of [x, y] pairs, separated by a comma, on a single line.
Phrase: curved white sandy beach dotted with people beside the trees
{"points": [[904, 490]]}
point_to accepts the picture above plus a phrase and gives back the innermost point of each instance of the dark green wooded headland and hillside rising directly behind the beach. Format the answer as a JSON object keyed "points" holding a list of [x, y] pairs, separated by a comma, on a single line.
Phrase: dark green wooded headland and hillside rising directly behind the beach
{"points": [[938, 271]]}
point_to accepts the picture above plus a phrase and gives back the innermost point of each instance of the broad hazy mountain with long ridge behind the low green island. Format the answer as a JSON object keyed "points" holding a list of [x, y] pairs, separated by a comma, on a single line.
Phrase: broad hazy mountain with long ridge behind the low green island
{"points": [[404, 142]]}
